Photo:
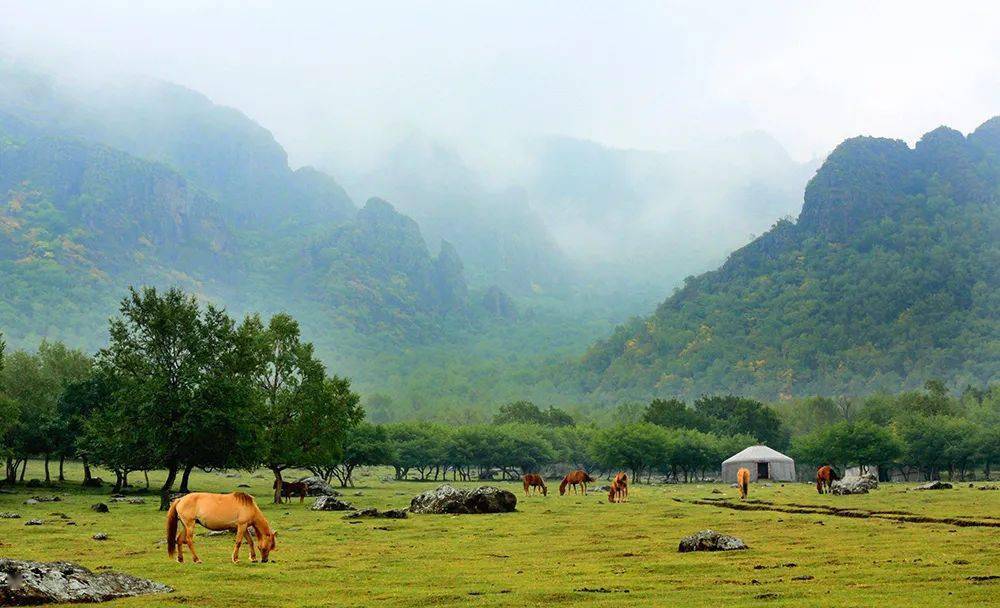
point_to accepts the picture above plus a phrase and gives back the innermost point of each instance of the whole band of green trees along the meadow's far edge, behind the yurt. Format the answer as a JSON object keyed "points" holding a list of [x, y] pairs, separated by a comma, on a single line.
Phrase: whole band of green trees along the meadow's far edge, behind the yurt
{"points": [[182, 386]]}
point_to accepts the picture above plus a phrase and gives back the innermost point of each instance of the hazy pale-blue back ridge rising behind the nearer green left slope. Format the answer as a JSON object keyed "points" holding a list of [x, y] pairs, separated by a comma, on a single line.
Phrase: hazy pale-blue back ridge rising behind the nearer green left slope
{"points": [[217, 148]]}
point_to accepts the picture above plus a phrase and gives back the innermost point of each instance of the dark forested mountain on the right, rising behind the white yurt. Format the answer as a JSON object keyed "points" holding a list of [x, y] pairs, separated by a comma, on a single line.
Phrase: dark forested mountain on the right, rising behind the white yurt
{"points": [[890, 276]]}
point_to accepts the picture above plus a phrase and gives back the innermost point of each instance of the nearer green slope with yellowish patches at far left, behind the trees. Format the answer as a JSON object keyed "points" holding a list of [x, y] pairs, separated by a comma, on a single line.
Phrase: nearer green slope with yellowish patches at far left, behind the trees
{"points": [[80, 221]]}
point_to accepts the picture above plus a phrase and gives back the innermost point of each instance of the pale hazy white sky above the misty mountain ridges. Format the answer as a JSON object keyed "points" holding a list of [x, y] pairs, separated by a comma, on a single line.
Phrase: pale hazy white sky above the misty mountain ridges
{"points": [[330, 78]]}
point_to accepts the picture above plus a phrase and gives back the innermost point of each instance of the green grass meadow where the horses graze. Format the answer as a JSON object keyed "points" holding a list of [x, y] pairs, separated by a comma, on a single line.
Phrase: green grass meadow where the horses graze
{"points": [[545, 552]]}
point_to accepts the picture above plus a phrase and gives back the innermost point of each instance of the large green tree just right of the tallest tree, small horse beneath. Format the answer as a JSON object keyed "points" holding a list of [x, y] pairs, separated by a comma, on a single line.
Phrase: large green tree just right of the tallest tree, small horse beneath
{"points": [[305, 414]]}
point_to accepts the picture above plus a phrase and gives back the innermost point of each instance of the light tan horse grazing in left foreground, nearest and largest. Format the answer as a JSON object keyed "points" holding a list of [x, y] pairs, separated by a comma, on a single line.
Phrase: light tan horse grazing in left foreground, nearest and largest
{"points": [[236, 511]]}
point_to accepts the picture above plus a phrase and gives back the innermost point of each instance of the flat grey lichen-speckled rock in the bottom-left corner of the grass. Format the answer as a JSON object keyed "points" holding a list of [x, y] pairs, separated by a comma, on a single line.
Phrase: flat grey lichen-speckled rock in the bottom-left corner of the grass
{"points": [[24, 583]]}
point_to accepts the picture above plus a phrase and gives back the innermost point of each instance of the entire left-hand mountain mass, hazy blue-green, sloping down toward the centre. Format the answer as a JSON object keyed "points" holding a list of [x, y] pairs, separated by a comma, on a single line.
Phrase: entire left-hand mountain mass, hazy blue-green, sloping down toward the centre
{"points": [[162, 187]]}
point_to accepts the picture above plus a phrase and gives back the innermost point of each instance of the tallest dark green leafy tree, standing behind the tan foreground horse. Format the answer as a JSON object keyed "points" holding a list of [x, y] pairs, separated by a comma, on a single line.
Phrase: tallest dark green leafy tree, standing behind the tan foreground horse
{"points": [[182, 375]]}
